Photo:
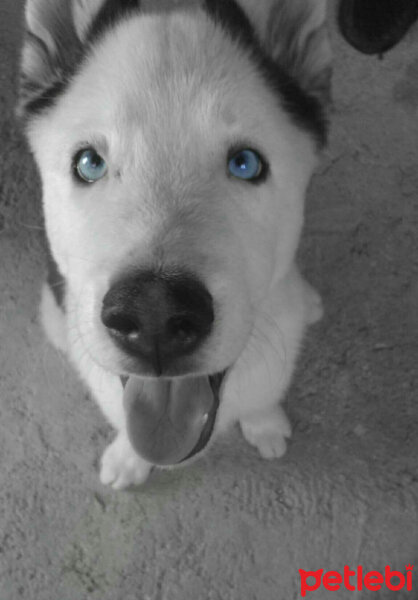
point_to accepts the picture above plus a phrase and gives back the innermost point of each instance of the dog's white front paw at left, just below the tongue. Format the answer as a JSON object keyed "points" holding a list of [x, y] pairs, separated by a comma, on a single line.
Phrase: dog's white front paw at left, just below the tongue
{"points": [[121, 467]]}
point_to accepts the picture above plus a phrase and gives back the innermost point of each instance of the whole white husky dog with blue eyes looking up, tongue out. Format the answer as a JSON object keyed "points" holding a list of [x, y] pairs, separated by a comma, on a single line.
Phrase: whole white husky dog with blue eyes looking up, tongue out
{"points": [[175, 148]]}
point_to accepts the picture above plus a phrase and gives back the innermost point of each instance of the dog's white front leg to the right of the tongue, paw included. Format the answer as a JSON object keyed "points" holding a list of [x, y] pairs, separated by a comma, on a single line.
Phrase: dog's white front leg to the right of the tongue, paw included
{"points": [[258, 381]]}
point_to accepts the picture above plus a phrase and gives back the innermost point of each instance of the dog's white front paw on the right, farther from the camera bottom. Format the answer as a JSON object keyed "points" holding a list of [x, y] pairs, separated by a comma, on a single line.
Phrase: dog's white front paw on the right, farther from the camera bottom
{"points": [[267, 431]]}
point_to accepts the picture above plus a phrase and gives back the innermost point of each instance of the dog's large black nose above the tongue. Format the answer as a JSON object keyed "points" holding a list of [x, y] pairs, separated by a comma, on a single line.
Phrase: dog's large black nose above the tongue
{"points": [[158, 316]]}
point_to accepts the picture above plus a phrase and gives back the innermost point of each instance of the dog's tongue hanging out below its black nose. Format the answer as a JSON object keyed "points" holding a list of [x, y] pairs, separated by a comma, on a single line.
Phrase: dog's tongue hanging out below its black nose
{"points": [[166, 417]]}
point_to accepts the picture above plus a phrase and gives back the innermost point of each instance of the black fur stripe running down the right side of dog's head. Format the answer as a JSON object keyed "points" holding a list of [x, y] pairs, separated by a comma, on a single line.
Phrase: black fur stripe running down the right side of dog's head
{"points": [[305, 110]]}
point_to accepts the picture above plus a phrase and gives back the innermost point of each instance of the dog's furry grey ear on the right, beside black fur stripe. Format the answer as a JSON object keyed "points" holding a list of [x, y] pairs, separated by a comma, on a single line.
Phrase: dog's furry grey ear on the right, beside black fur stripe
{"points": [[296, 37]]}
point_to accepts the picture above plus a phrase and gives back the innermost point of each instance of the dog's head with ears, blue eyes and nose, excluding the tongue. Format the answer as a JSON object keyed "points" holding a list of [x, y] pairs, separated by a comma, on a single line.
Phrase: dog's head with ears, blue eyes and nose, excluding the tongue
{"points": [[174, 169]]}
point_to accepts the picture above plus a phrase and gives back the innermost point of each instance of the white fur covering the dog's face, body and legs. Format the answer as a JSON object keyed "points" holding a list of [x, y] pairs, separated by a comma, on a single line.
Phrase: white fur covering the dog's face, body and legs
{"points": [[162, 99]]}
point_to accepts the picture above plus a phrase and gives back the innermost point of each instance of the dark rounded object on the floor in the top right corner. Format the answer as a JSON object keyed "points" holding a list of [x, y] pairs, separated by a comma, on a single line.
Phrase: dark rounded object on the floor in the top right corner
{"points": [[375, 26]]}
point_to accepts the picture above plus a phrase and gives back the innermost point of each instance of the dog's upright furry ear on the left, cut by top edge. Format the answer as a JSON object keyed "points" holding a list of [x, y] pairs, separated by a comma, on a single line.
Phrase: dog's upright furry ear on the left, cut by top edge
{"points": [[55, 32]]}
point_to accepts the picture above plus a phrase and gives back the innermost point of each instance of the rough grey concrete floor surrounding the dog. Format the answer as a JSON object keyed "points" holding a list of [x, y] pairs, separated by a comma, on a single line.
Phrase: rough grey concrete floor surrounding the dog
{"points": [[232, 526]]}
